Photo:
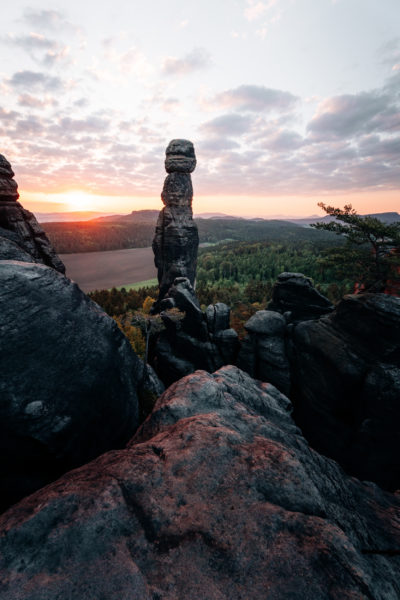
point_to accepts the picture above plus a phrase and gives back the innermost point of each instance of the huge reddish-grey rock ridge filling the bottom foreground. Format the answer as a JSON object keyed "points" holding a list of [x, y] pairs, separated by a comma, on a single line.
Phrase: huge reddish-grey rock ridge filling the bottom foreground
{"points": [[217, 496]]}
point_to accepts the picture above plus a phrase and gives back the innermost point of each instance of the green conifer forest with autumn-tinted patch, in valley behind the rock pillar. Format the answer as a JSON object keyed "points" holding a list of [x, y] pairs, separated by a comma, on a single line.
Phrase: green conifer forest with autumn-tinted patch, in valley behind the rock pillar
{"points": [[240, 274]]}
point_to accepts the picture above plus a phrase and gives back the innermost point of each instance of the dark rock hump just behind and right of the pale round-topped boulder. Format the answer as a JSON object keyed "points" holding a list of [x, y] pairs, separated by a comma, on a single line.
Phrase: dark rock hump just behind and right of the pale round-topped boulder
{"points": [[294, 296]]}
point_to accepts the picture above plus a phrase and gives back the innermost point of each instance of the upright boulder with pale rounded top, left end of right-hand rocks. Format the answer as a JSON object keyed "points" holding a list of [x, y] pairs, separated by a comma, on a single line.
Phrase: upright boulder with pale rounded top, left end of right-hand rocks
{"points": [[263, 351]]}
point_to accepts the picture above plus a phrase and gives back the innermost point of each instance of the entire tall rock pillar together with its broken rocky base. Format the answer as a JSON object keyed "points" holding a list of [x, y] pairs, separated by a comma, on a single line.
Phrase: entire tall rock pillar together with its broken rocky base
{"points": [[192, 340]]}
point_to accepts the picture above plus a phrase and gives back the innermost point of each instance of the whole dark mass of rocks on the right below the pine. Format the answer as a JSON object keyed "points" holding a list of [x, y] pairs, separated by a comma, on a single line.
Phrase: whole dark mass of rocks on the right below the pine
{"points": [[341, 370]]}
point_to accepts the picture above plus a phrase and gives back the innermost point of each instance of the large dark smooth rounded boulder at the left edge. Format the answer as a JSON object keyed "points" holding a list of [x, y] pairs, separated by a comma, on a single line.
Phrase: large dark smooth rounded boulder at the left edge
{"points": [[68, 379]]}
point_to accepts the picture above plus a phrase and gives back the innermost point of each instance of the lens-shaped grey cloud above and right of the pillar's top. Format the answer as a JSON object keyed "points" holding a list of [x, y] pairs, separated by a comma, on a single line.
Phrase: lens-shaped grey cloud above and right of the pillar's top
{"points": [[255, 98]]}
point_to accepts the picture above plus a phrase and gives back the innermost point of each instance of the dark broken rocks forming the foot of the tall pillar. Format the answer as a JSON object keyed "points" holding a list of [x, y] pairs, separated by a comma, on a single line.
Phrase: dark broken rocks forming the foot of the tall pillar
{"points": [[192, 339]]}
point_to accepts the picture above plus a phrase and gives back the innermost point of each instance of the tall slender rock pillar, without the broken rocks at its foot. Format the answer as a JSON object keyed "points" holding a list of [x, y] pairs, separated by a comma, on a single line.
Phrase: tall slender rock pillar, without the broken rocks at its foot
{"points": [[176, 239]]}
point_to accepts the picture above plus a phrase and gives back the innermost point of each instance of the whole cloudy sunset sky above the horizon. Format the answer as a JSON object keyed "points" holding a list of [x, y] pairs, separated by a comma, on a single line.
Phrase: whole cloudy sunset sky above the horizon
{"points": [[288, 103]]}
